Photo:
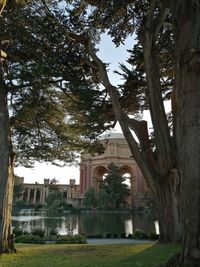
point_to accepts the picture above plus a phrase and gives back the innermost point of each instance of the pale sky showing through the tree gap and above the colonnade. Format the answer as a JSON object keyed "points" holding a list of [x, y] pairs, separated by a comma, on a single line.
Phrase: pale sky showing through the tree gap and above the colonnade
{"points": [[109, 54]]}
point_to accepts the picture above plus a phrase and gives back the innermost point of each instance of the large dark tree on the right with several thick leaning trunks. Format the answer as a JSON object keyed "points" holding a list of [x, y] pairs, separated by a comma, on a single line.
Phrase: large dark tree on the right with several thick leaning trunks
{"points": [[171, 166]]}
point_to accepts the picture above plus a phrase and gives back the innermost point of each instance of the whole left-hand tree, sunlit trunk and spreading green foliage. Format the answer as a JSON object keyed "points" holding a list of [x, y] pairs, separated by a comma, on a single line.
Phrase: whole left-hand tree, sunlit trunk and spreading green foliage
{"points": [[38, 126]]}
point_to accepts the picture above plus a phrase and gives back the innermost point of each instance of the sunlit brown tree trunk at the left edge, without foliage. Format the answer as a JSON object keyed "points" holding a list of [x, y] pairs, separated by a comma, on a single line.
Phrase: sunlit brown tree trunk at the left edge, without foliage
{"points": [[6, 175]]}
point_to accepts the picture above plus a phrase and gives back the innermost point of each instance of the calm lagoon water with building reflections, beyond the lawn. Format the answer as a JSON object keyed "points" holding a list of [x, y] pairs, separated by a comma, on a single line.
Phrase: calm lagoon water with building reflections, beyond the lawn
{"points": [[87, 223]]}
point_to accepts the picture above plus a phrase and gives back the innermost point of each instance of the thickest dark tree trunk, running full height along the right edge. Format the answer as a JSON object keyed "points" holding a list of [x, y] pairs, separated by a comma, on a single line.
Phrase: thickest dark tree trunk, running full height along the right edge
{"points": [[187, 132]]}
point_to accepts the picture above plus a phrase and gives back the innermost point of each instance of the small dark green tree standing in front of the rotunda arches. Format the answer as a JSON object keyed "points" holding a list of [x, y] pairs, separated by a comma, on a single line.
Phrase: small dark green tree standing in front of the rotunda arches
{"points": [[113, 186]]}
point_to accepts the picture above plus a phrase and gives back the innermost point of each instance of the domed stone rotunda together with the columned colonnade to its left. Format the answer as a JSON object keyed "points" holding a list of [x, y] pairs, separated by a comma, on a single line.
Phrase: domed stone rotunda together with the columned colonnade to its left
{"points": [[92, 170]]}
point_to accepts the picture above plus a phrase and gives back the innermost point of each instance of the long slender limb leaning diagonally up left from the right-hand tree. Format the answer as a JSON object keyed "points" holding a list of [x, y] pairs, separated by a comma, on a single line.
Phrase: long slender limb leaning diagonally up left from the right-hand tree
{"points": [[112, 90]]}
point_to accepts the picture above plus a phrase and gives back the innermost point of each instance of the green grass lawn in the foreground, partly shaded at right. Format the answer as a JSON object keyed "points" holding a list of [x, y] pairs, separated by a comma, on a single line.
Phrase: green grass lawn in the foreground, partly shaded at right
{"points": [[126, 255]]}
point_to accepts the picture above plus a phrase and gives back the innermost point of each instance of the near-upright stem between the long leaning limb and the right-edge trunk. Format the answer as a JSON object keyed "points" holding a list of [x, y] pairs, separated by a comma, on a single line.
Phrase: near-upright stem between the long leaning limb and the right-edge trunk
{"points": [[154, 93]]}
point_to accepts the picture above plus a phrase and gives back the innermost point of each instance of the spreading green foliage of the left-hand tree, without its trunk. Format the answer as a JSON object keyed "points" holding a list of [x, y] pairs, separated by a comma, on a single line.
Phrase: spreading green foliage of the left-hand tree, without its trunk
{"points": [[53, 101]]}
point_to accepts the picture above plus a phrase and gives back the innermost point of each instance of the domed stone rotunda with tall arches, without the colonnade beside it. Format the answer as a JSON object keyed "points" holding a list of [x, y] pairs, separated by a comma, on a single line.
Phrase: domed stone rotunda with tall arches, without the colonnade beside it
{"points": [[93, 168]]}
